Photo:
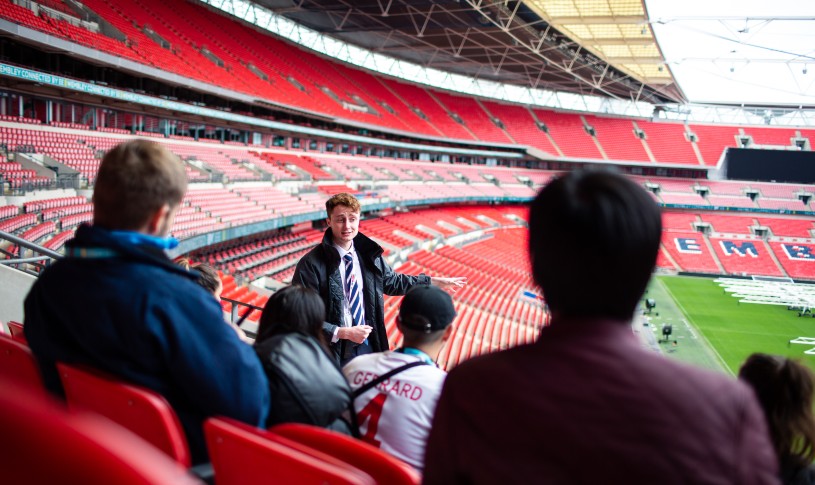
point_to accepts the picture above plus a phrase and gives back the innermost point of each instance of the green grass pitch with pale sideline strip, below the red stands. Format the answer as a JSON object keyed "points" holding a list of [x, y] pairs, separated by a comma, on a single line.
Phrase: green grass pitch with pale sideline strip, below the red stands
{"points": [[713, 330]]}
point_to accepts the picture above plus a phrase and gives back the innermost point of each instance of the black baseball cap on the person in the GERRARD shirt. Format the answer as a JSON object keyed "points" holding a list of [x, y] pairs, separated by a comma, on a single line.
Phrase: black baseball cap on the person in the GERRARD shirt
{"points": [[432, 304]]}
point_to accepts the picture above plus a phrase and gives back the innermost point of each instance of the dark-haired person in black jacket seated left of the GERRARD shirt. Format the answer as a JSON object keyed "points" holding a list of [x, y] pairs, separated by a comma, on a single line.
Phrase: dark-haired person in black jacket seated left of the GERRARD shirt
{"points": [[306, 384]]}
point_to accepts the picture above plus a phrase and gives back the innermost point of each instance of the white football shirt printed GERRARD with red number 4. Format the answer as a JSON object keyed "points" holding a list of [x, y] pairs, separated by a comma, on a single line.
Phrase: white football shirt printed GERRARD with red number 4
{"points": [[397, 414]]}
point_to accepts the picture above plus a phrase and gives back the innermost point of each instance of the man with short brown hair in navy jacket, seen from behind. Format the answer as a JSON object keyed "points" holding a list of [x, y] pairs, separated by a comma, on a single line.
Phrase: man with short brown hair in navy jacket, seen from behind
{"points": [[117, 303]]}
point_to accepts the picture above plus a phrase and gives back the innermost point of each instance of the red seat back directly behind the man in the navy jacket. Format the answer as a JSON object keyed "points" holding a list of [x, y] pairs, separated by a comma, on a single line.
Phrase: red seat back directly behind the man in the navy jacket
{"points": [[138, 409]]}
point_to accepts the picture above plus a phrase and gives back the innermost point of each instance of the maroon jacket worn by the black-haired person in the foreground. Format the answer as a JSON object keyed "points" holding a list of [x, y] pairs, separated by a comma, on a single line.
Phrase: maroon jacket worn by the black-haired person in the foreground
{"points": [[587, 404]]}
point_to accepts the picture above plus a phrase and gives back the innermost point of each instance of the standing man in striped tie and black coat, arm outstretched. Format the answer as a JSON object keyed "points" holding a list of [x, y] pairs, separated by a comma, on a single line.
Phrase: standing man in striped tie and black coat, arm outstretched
{"points": [[349, 272]]}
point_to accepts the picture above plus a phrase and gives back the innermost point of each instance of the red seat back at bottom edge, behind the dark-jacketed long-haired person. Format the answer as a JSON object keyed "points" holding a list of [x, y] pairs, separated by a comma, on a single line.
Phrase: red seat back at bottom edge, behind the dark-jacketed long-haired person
{"points": [[242, 454]]}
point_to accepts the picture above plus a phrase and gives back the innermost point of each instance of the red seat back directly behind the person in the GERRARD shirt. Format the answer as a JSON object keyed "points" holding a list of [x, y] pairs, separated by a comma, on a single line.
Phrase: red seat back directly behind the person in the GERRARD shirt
{"points": [[383, 467]]}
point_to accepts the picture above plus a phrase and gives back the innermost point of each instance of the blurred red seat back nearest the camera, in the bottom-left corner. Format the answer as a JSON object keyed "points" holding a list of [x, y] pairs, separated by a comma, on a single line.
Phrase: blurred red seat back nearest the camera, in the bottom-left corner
{"points": [[42, 443]]}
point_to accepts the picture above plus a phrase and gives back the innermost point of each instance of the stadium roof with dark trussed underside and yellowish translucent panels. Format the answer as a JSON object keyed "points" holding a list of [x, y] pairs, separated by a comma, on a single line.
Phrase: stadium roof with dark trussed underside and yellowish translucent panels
{"points": [[587, 47]]}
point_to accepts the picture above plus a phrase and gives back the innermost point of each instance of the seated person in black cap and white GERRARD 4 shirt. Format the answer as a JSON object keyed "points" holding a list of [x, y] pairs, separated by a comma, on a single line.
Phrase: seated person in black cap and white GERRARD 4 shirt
{"points": [[395, 413]]}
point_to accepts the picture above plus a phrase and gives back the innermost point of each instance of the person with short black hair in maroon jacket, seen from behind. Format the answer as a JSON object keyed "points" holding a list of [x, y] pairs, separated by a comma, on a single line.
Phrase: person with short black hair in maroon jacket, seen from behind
{"points": [[586, 402]]}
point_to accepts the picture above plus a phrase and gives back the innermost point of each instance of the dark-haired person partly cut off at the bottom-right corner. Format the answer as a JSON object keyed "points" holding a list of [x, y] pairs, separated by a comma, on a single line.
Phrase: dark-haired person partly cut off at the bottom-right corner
{"points": [[784, 388]]}
